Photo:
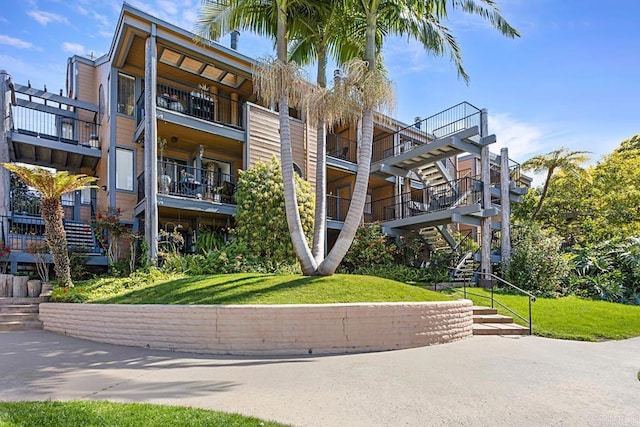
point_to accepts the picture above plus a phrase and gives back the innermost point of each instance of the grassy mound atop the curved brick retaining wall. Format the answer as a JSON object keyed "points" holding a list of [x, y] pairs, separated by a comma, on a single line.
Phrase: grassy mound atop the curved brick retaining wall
{"points": [[249, 288]]}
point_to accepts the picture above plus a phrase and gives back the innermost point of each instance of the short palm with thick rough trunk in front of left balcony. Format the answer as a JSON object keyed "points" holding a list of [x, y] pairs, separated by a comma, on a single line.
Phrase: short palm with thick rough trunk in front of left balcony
{"points": [[51, 187]]}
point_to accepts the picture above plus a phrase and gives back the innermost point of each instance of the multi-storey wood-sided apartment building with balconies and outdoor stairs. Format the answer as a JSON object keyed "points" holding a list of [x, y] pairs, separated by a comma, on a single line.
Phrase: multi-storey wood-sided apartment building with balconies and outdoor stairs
{"points": [[166, 124]]}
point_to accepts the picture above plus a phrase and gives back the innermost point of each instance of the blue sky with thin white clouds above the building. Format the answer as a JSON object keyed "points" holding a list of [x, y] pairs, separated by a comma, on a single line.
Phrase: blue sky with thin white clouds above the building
{"points": [[572, 79]]}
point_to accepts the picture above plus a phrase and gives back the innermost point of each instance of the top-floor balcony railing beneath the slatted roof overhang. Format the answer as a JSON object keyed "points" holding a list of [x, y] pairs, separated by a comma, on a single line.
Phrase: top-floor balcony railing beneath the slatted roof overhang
{"points": [[196, 102]]}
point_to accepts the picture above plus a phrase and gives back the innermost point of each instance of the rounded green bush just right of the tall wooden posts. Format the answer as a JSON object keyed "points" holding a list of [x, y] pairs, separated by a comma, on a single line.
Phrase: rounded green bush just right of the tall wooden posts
{"points": [[536, 264]]}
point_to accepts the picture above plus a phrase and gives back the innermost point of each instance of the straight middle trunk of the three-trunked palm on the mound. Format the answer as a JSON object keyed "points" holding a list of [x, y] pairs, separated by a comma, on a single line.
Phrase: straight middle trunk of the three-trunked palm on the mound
{"points": [[320, 223]]}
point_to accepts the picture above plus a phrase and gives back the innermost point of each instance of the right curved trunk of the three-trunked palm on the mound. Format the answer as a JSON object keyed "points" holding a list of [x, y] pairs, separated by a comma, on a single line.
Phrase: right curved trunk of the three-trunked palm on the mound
{"points": [[359, 196]]}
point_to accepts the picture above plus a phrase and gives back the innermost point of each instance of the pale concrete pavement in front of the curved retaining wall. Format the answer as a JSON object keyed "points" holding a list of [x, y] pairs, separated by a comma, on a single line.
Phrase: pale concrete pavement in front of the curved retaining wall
{"points": [[478, 381]]}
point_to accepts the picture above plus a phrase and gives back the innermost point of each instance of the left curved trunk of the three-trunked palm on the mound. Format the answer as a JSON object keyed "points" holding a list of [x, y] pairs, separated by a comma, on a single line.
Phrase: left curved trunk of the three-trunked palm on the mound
{"points": [[298, 239]]}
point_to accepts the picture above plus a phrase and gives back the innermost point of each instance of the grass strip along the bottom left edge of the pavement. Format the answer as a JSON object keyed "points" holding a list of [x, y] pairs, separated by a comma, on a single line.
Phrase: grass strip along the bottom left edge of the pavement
{"points": [[100, 413]]}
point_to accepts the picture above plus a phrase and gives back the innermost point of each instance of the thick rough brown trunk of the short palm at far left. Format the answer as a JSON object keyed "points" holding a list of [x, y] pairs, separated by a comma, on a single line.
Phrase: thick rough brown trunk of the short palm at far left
{"points": [[55, 235]]}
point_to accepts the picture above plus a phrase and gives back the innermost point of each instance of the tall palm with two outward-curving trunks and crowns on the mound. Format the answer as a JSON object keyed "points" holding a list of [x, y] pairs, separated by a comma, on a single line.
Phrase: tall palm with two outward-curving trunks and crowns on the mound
{"points": [[277, 80]]}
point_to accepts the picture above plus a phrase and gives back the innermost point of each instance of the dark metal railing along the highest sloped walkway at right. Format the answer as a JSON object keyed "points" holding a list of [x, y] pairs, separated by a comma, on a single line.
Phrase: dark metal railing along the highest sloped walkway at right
{"points": [[459, 117]]}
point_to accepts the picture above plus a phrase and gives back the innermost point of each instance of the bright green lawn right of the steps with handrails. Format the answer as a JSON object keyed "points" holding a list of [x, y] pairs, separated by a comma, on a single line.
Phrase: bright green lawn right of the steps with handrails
{"points": [[570, 317]]}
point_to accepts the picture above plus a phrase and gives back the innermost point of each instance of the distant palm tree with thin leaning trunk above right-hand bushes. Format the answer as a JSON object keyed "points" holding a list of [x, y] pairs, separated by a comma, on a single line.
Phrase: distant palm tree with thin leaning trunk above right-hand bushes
{"points": [[562, 159]]}
